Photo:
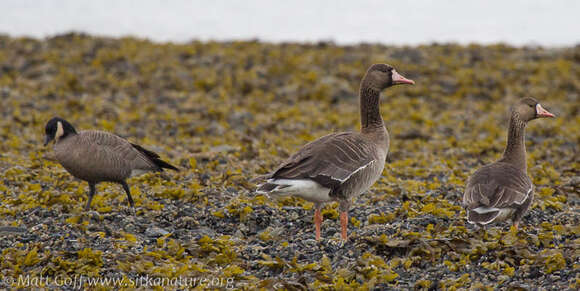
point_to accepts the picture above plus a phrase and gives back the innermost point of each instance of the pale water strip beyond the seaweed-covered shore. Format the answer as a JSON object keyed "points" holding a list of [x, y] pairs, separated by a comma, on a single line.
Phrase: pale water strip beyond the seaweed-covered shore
{"points": [[547, 23]]}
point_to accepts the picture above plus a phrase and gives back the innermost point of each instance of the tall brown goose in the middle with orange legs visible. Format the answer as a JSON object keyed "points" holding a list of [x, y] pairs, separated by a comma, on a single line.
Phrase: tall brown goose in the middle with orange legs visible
{"points": [[340, 166]]}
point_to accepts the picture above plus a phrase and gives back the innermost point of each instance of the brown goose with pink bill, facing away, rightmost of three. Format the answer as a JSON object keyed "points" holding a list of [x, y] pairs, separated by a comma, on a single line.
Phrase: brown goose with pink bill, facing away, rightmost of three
{"points": [[502, 189]]}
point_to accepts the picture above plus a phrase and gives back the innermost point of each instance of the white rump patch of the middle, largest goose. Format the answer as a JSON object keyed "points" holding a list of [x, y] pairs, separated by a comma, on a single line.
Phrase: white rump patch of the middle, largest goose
{"points": [[304, 188]]}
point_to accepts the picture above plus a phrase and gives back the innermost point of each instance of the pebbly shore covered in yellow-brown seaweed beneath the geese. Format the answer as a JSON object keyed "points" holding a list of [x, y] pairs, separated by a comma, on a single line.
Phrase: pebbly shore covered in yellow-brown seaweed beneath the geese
{"points": [[228, 112]]}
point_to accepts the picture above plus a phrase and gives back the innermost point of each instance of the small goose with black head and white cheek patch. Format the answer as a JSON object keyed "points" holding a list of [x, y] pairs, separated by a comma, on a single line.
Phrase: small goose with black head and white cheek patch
{"points": [[97, 156]]}
